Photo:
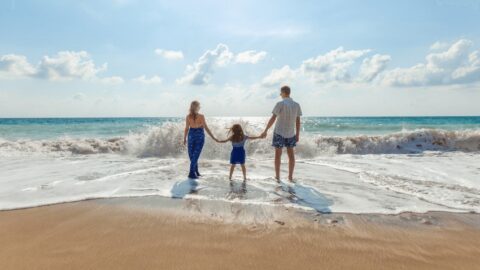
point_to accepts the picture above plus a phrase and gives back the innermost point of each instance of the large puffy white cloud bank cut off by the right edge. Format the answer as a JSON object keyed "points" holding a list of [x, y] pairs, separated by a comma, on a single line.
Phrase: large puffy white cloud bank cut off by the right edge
{"points": [[456, 65]]}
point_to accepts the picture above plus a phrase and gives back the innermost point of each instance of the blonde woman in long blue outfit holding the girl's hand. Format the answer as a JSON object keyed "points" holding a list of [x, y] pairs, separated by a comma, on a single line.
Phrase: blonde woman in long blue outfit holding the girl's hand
{"points": [[194, 125]]}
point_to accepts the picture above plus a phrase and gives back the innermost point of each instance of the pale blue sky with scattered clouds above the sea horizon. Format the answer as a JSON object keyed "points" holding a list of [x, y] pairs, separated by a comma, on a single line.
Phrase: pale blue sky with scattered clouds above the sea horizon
{"points": [[151, 58]]}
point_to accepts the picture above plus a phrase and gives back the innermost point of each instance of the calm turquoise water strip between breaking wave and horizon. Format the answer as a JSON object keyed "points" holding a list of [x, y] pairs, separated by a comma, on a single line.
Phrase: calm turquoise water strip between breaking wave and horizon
{"points": [[45, 128]]}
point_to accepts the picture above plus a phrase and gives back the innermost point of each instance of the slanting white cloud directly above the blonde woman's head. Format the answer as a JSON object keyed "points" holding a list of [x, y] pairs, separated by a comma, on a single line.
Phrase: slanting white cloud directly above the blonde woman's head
{"points": [[199, 73]]}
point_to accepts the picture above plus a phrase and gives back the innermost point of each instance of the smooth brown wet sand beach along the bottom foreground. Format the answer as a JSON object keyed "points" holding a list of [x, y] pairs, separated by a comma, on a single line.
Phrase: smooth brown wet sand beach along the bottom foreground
{"points": [[136, 233]]}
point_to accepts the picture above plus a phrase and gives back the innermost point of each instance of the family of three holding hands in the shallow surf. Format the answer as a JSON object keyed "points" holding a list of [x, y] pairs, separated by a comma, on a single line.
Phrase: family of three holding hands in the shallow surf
{"points": [[286, 117]]}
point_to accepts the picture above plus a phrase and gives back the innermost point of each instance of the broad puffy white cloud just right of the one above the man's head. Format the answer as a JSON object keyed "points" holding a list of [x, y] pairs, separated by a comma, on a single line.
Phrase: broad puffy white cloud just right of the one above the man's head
{"points": [[332, 66]]}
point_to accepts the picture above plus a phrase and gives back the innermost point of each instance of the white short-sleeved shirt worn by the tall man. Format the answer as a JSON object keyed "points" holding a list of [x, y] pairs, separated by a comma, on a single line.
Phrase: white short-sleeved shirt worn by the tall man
{"points": [[287, 112]]}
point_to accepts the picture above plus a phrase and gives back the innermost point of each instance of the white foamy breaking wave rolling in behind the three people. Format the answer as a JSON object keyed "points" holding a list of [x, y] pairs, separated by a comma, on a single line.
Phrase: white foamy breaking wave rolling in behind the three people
{"points": [[167, 141]]}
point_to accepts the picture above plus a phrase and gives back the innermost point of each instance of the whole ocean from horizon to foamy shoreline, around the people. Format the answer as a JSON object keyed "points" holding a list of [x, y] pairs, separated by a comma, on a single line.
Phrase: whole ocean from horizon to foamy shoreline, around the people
{"points": [[344, 164]]}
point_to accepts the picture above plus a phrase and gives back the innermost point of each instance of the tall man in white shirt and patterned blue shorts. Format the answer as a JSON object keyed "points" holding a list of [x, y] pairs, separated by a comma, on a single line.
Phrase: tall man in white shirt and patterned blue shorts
{"points": [[287, 130]]}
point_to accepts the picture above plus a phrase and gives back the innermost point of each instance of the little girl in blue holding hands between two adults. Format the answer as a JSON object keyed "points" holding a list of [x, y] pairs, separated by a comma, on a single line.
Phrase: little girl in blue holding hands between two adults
{"points": [[238, 139]]}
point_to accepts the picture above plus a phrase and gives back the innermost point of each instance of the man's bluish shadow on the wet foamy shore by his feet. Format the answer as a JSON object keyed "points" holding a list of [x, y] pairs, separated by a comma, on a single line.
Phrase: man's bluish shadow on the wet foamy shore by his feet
{"points": [[306, 196]]}
